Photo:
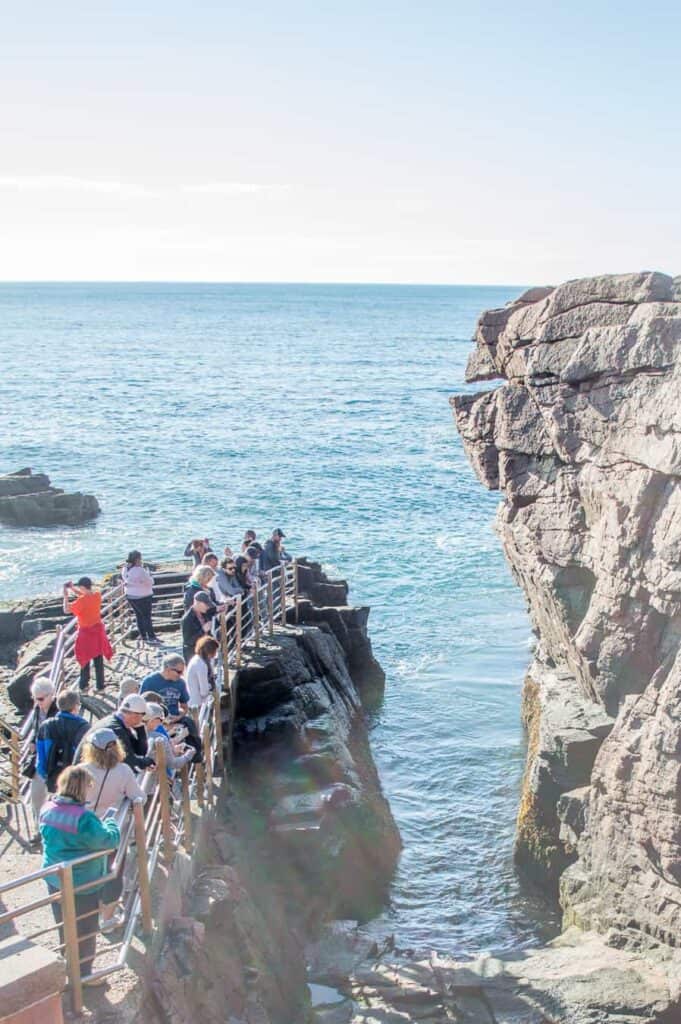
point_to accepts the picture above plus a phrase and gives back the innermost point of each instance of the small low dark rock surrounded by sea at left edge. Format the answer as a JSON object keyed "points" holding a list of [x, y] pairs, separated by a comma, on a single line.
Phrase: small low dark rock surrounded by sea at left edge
{"points": [[29, 500]]}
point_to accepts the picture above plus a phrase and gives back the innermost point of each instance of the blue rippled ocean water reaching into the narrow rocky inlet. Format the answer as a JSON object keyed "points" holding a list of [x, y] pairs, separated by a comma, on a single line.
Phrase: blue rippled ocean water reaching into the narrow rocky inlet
{"points": [[202, 410]]}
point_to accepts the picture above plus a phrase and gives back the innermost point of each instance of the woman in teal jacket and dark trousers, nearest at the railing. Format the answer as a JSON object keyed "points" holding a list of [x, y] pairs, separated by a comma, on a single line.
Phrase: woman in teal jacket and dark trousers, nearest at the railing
{"points": [[70, 831]]}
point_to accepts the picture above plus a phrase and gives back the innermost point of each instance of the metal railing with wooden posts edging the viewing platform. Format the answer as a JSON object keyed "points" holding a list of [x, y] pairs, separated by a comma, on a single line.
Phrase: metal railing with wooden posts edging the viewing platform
{"points": [[153, 831]]}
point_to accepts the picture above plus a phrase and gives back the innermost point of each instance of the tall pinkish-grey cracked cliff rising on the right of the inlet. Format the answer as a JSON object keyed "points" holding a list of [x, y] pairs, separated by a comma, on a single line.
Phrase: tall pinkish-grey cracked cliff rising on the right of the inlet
{"points": [[584, 442]]}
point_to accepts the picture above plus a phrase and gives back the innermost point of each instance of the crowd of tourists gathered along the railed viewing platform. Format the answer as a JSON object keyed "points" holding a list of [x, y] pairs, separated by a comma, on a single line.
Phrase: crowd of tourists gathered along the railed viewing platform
{"points": [[80, 774]]}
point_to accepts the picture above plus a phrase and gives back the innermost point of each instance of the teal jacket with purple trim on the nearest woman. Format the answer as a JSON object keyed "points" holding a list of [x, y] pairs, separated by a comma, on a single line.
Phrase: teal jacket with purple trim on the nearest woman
{"points": [[70, 831]]}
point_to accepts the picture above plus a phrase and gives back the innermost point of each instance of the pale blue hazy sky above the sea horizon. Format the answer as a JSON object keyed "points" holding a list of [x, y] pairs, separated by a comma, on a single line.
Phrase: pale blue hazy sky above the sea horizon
{"points": [[441, 143]]}
